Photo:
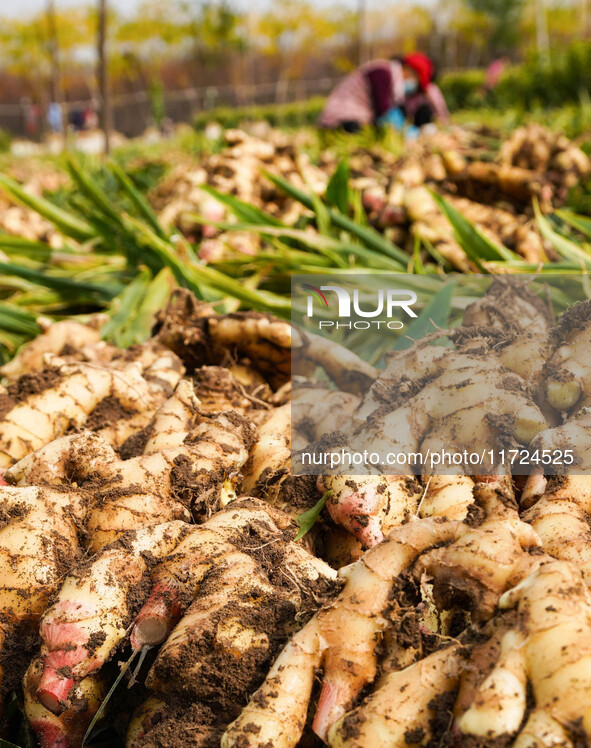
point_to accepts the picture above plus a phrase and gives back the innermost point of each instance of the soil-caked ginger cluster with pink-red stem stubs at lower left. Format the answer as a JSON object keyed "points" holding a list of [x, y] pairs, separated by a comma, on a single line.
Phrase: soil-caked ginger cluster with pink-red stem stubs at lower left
{"points": [[220, 603]]}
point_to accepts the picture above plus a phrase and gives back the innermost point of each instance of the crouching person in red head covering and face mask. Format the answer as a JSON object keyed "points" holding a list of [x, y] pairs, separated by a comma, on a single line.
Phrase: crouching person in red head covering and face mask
{"points": [[393, 92]]}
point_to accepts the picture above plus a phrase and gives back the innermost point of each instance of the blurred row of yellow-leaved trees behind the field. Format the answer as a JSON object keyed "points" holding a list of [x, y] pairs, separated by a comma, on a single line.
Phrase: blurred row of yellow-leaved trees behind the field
{"points": [[168, 45]]}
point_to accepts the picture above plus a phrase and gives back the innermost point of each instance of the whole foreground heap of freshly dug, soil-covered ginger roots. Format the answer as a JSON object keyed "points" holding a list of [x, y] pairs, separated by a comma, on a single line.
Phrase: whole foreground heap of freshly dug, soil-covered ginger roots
{"points": [[149, 509]]}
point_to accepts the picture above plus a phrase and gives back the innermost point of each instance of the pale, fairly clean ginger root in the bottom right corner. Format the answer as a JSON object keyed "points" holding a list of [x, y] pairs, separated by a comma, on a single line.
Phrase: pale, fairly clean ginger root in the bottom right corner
{"points": [[548, 647]]}
